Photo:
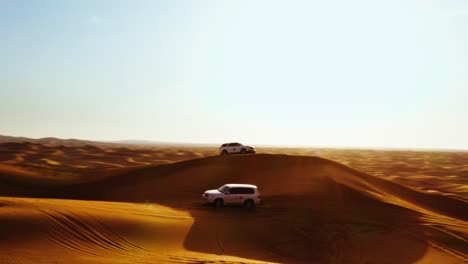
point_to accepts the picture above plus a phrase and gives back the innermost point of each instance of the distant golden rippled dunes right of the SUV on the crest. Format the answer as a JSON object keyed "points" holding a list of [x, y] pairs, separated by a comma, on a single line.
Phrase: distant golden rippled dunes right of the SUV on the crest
{"points": [[411, 168]]}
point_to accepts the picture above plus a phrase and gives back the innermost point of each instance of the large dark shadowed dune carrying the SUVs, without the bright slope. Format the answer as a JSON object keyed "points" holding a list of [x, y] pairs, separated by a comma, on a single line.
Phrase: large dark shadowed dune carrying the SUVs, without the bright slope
{"points": [[313, 210]]}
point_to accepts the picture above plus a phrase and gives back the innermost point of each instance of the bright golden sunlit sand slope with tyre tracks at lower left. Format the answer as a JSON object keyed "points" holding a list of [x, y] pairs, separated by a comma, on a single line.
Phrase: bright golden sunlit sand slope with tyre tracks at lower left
{"points": [[67, 231]]}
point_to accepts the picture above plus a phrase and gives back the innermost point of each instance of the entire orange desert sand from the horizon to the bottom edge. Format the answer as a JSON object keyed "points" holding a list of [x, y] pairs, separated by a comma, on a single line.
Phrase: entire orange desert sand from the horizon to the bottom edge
{"points": [[110, 203]]}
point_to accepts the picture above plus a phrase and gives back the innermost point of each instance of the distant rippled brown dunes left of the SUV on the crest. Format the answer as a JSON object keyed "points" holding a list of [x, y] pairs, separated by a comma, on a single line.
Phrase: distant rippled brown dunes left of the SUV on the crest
{"points": [[83, 162]]}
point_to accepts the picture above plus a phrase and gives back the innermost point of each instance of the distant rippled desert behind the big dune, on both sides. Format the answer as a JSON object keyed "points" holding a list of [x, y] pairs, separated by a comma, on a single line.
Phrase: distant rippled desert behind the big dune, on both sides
{"points": [[430, 172]]}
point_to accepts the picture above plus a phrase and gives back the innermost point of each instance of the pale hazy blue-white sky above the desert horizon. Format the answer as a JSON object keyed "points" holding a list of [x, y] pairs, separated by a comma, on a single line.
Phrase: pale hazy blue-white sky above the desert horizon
{"points": [[320, 73]]}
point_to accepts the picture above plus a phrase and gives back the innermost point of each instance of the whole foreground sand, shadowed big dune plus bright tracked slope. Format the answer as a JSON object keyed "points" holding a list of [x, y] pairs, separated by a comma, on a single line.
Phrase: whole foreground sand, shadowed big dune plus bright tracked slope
{"points": [[314, 211]]}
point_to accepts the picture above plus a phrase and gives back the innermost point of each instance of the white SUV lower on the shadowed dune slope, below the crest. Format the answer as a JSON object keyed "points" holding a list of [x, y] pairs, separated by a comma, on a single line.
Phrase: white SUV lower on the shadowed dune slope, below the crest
{"points": [[244, 194]]}
